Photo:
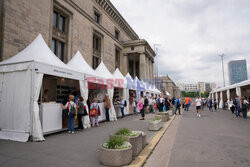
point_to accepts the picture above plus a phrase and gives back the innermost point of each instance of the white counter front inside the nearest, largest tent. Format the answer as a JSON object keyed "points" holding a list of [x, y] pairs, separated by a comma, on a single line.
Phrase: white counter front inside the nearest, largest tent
{"points": [[51, 117]]}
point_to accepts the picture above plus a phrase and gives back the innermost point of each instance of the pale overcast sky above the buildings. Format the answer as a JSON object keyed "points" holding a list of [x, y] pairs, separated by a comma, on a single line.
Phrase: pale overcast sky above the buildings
{"points": [[190, 35]]}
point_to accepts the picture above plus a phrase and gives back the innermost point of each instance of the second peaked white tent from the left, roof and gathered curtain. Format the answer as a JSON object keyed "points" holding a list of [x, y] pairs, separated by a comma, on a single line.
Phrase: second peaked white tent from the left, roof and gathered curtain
{"points": [[79, 64]]}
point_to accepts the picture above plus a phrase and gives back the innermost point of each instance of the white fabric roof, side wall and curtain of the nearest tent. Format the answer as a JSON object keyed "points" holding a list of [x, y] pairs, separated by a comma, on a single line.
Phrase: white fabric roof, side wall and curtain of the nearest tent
{"points": [[20, 83]]}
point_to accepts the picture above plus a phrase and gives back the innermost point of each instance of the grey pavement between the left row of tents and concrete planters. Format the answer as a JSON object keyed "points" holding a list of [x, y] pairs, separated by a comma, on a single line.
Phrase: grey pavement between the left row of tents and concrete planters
{"points": [[68, 150]]}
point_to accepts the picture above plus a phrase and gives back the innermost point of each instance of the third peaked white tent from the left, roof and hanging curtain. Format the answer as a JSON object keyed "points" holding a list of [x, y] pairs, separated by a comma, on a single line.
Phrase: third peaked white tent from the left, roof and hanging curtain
{"points": [[109, 81]]}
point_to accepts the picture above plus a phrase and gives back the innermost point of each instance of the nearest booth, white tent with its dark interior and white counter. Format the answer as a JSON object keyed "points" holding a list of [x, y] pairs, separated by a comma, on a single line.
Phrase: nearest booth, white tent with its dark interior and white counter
{"points": [[23, 78]]}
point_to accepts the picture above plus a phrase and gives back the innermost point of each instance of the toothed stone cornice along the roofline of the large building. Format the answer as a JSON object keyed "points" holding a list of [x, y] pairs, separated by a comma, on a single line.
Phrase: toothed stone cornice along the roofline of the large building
{"points": [[109, 8]]}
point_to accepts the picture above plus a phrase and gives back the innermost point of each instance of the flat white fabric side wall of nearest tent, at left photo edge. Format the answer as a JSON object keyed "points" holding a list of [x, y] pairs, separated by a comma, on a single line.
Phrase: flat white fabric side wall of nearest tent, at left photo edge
{"points": [[15, 105]]}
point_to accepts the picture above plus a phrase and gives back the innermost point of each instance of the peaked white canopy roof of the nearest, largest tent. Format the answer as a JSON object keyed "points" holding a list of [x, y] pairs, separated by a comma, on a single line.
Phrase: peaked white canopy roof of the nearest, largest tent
{"points": [[38, 54]]}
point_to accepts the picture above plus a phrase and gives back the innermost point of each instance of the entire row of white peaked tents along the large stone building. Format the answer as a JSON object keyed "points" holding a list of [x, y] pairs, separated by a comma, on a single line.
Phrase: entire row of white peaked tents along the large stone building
{"points": [[21, 78]]}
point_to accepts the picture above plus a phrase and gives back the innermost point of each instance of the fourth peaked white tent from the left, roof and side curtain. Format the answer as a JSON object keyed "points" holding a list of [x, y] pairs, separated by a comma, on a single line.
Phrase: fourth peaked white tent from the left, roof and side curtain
{"points": [[118, 76]]}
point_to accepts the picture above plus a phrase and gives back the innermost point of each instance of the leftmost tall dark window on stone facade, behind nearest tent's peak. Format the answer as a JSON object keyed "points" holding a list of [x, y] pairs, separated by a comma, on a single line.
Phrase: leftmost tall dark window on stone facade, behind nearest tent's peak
{"points": [[60, 34]]}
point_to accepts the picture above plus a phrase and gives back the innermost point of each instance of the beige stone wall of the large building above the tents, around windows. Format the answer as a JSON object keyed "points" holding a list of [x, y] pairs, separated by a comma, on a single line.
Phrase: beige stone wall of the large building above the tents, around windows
{"points": [[25, 19]]}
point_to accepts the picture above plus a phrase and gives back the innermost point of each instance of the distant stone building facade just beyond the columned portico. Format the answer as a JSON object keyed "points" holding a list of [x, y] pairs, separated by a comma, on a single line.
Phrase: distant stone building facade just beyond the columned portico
{"points": [[167, 84]]}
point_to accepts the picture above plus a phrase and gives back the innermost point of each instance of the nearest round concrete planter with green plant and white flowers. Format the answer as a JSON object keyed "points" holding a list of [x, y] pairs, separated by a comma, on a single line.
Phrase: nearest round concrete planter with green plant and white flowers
{"points": [[115, 152]]}
